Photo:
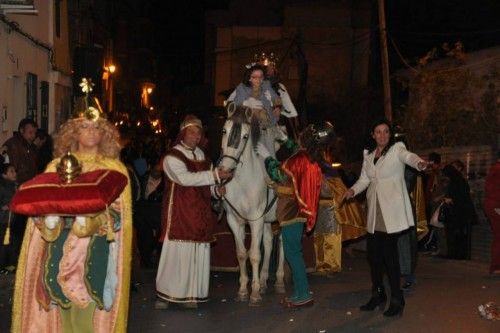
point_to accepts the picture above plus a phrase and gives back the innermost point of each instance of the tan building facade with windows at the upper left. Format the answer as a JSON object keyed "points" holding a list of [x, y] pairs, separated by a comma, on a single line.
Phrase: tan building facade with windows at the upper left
{"points": [[35, 67]]}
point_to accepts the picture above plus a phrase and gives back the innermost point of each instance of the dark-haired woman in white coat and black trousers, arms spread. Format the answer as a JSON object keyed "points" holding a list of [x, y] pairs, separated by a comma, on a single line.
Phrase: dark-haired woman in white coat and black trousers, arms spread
{"points": [[389, 211]]}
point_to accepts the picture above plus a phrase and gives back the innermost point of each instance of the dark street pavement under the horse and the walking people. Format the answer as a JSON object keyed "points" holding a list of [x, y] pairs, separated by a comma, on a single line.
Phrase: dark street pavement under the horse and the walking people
{"points": [[445, 299]]}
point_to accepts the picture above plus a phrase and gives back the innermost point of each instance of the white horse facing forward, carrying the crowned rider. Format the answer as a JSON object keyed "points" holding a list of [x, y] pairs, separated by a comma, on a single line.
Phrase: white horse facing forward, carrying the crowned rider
{"points": [[249, 200]]}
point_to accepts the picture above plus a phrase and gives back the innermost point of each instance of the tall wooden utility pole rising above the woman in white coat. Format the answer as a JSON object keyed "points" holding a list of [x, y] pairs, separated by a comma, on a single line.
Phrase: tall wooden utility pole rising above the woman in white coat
{"points": [[385, 60]]}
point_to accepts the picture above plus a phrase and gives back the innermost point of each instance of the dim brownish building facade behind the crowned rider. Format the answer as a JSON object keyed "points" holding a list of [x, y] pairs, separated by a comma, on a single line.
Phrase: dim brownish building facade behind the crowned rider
{"points": [[323, 49]]}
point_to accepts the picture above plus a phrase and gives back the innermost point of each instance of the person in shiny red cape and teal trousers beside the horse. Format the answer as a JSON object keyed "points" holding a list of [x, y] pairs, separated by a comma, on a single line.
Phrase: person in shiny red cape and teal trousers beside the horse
{"points": [[298, 188]]}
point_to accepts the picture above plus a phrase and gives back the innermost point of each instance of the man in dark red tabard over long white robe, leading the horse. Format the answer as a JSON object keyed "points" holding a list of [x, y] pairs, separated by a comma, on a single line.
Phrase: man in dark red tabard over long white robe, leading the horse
{"points": [[187, 219]]}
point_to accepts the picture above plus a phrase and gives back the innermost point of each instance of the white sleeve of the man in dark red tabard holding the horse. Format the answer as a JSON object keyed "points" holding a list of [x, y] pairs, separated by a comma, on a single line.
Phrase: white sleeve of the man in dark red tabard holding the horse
{"points": [[176, 170]]}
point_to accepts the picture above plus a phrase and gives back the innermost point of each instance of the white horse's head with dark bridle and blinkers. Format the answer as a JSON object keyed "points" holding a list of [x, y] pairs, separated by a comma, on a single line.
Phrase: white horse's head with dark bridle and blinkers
{"points": [[241, 131]]}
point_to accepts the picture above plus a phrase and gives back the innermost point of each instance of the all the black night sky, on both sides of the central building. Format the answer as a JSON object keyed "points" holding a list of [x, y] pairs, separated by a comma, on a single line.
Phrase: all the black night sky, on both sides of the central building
{"points": [[415, 27]]}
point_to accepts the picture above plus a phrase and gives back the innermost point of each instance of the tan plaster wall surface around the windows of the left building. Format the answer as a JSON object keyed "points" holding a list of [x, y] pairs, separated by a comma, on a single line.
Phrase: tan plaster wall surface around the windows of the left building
{"points": [[20, 56]]}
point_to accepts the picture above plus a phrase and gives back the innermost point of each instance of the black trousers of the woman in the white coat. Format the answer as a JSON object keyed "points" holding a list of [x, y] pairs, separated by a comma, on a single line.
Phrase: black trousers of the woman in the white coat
{"points": [[383, 256]]}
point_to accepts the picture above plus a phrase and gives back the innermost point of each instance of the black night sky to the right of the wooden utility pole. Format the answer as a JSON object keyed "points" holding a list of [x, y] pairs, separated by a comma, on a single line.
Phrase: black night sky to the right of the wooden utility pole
{"points": [[418, 26]]}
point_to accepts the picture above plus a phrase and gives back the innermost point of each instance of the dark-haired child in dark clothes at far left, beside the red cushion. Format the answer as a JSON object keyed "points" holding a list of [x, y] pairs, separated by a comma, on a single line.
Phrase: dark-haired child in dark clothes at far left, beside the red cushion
{"points": [[8, 187]]}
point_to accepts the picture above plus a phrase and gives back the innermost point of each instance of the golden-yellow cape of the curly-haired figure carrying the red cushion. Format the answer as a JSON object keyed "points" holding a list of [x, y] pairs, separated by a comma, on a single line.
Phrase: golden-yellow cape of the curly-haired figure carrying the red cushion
{"points": [[27, 314]]}
